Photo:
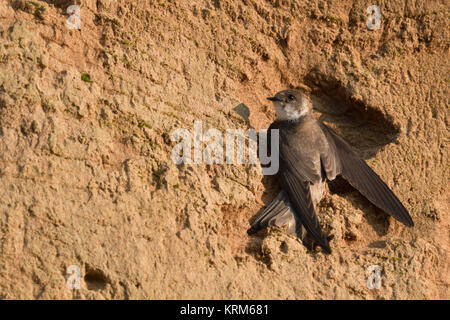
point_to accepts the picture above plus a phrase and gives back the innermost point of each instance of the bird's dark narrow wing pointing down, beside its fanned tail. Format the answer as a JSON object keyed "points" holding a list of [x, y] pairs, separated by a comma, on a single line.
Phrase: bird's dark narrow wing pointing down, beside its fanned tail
{"points": [[299, 194]]}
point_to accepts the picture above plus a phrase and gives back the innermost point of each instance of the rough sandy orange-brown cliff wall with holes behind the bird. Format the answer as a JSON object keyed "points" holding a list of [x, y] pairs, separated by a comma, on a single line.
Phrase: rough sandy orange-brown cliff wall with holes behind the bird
{"points": [[86, 177]]}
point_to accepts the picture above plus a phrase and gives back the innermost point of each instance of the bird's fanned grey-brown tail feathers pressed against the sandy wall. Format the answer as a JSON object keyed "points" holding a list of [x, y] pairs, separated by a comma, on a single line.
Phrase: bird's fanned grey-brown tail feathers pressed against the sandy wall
{"points": [[278, 213]]}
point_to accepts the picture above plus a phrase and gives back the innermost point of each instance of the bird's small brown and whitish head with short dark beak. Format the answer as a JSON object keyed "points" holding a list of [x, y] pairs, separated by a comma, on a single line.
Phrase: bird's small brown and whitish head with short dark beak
{"points": [[290, 104]]}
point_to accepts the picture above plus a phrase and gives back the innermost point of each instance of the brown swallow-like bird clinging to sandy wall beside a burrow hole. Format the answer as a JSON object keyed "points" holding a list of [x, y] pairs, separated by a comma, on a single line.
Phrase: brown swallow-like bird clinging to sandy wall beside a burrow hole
{"points": [[310, 154]]}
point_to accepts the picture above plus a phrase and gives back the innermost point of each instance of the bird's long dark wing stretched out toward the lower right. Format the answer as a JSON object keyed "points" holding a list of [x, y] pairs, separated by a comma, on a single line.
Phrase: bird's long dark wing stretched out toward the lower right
{"points": [[365, 180]]}
